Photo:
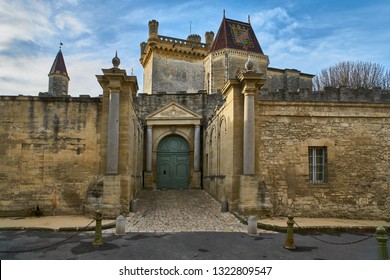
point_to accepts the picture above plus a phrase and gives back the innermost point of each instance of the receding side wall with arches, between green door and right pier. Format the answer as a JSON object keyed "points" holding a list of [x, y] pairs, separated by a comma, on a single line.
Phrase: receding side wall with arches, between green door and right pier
{"points": [[222, 148]]}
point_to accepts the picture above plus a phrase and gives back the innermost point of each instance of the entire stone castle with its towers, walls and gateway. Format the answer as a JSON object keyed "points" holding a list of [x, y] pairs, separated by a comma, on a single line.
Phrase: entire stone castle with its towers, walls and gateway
{"points": [[213, 116]]}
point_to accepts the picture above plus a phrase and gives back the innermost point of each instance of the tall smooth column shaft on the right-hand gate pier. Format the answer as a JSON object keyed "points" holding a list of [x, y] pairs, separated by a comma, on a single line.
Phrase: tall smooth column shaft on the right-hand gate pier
{"points": [[249, 133]]}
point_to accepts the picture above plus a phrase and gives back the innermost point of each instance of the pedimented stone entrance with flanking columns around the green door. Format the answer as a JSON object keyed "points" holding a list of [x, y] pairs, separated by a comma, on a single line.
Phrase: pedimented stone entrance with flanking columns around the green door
{"points": [[172, 148]]}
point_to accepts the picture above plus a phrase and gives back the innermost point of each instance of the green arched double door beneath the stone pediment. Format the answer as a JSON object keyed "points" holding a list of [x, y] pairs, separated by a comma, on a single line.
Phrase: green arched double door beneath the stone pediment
{"points": [[173, 163]]}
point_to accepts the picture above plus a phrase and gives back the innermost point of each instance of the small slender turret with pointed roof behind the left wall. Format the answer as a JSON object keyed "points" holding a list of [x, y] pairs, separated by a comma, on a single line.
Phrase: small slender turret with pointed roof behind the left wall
{"points": [[58, 77]]}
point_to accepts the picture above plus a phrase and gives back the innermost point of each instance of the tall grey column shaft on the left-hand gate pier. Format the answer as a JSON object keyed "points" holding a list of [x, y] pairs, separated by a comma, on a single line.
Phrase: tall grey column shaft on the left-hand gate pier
{"points": [[113, 134]]}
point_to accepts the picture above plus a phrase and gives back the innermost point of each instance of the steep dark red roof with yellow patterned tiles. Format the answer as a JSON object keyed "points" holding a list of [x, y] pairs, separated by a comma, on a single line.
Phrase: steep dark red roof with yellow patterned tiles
{"points": [[236, 35]]}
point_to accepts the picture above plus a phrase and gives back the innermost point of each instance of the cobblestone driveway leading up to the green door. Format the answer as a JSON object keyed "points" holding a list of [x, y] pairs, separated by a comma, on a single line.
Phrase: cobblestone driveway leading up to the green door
{"points": [[180, 211]]}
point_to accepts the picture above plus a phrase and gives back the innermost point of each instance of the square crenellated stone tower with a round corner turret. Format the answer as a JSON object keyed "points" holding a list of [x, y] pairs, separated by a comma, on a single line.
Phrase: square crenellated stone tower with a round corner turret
{"points": [[172, 64]]}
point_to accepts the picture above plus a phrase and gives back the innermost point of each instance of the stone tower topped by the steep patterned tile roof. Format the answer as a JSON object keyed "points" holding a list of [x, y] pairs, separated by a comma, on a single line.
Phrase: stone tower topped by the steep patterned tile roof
{"points": [[234, 43]]}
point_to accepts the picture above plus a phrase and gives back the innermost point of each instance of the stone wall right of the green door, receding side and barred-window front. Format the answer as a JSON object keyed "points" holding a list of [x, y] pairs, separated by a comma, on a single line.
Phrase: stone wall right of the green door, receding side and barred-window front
{"points": [[354, 126]]}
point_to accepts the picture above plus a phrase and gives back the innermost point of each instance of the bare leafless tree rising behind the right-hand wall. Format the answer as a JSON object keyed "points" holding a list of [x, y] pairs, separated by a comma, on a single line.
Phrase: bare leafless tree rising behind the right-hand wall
{"points": [[353, 74]]}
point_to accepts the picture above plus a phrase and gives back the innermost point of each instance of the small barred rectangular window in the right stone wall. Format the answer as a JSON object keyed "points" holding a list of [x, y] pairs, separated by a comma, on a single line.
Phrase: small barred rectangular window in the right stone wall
{"points": [[317, 165]]}
